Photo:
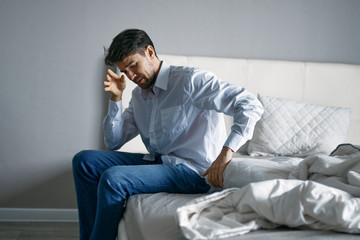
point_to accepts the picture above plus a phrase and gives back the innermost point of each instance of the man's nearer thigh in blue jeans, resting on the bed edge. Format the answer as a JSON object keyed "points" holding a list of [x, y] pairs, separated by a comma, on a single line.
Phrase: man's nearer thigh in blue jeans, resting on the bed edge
{"points": [[153, 178]]}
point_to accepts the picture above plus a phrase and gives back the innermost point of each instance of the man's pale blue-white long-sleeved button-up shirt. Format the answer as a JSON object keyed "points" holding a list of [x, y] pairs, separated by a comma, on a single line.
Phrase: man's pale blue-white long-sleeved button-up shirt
{"points": [[182, 118]]}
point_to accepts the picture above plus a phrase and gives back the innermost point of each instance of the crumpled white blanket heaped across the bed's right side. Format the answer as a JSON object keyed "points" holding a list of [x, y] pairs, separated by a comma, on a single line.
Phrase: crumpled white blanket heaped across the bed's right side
{"points": [[323, 196]]}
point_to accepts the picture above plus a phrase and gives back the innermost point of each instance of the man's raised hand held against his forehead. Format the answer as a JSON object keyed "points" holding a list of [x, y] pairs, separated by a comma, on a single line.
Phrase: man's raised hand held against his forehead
{"points": [[115, 84]]}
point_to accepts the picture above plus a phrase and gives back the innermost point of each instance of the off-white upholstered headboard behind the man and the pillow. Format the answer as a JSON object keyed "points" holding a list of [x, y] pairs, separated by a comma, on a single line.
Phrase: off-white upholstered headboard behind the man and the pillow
{"points": [[326, 84]]}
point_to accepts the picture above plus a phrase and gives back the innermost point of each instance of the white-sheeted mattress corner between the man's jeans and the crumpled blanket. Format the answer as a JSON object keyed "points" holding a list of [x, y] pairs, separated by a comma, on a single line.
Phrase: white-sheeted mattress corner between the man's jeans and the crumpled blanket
{"points": [[153, 216]]}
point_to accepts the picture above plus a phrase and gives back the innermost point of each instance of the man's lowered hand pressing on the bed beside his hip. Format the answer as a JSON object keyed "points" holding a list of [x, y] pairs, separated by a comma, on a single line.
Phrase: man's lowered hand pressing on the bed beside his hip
{"points": [[216, 170]]}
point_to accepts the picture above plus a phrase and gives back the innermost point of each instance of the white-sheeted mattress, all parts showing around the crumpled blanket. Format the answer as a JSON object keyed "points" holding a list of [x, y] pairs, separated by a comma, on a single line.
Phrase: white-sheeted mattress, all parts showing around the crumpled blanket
{"points": [[154, 216]]}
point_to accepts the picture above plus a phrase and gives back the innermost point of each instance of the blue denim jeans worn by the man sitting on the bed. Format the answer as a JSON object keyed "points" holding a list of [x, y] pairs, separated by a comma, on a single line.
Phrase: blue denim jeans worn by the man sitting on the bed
{"points": [[105, 179]]}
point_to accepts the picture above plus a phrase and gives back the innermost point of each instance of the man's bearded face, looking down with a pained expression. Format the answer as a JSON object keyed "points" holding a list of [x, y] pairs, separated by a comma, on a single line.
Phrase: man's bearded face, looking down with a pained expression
{"points": [[139, 69]]}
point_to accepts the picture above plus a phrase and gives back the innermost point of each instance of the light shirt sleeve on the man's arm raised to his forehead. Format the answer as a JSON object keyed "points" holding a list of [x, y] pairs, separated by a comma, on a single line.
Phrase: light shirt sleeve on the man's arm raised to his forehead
{"points": [[119, 127]]}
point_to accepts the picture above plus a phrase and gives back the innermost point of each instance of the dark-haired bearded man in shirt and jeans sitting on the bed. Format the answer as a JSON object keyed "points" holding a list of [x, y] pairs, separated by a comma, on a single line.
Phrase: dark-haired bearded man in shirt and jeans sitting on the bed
{"points": [[176, 111]]}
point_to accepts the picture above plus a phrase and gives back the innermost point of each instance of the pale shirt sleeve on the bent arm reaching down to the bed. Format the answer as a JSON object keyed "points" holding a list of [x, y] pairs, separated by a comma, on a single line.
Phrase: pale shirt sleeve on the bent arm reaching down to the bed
{"points": [[209, 92]]}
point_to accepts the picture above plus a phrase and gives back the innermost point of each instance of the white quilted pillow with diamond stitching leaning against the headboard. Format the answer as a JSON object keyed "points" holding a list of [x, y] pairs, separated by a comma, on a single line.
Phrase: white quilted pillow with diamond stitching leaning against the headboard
{"points": [[292, 128]]}
